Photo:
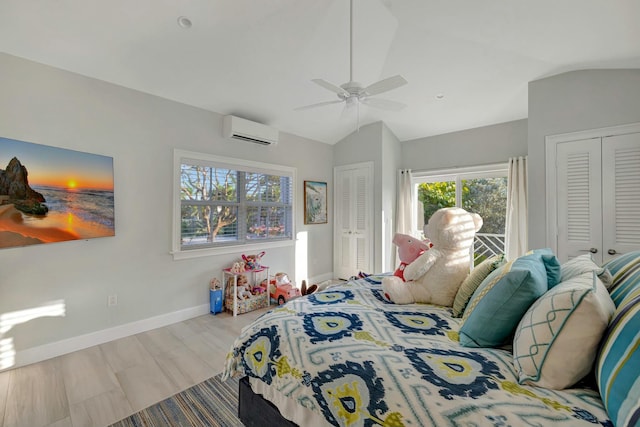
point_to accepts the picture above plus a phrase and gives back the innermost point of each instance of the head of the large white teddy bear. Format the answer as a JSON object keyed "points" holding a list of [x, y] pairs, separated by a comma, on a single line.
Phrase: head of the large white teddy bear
{"points": [[452, 228]]}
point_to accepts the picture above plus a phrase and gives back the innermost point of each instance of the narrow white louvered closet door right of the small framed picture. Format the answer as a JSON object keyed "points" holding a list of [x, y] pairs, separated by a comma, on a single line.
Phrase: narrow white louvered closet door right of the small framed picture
{"points": [[354, 234]]}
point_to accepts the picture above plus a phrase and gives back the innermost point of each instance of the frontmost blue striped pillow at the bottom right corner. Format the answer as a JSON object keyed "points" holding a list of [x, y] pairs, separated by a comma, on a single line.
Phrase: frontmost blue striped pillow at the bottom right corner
{"points": [[618, 363]]}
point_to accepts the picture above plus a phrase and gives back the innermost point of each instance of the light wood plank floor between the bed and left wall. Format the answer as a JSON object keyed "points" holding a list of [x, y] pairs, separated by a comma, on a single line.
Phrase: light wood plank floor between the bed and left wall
{"points": [[103, 384]]}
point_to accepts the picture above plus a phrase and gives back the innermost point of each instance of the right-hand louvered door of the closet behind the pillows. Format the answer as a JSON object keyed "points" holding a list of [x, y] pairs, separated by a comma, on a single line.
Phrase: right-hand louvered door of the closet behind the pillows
{"points": [[621, 194]]}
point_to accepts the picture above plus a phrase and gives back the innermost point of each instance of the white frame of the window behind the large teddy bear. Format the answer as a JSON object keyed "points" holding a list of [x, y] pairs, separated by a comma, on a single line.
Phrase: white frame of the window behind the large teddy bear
{"points": [[451, 174]]}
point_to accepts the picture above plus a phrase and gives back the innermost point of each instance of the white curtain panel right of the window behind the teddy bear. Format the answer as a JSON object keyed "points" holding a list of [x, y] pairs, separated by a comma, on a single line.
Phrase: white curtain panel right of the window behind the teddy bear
{"points": [[517, 221]]}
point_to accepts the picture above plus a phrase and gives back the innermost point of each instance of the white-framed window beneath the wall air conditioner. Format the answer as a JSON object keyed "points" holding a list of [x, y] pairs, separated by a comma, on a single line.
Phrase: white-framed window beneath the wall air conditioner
{"points": [[223, 202]]}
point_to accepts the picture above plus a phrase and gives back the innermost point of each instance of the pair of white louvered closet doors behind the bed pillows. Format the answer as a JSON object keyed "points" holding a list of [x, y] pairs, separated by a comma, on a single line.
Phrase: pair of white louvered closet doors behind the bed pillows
{"points": [[593, 188]]}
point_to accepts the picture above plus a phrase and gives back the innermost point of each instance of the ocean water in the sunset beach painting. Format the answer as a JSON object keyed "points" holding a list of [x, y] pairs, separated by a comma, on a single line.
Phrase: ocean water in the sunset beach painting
{"points": [[95, 206]]}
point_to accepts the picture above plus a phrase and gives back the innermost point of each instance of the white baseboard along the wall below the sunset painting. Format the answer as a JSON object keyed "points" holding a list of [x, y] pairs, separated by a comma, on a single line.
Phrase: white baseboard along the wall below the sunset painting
{"points": [[58, 348]]}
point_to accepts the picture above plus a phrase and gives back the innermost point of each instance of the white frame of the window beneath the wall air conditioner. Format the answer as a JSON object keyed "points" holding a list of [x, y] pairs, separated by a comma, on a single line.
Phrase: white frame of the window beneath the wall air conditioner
{"points": [[181, 157]]}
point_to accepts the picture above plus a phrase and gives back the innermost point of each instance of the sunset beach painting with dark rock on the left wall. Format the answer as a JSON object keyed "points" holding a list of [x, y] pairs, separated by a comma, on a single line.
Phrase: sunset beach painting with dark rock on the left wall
{"points": [[50, 194]]}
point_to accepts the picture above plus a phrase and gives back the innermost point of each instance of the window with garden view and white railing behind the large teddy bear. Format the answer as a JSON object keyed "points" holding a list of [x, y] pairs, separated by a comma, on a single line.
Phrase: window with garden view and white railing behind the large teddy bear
{"points": [[482, 190]]}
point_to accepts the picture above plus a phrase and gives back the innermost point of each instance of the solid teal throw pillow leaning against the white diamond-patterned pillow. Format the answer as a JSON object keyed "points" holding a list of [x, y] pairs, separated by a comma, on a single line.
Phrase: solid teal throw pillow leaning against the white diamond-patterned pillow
{"points": [[496, 307]]}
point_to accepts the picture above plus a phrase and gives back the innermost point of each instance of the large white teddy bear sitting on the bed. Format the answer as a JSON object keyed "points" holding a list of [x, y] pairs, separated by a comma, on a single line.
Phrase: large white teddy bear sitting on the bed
{"points": [[435, 276]]}
